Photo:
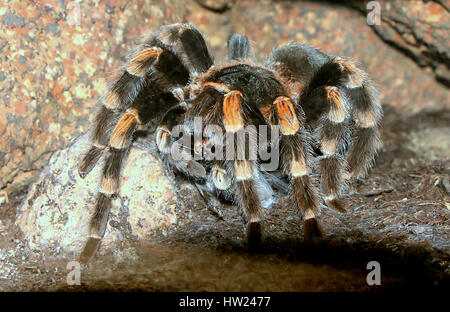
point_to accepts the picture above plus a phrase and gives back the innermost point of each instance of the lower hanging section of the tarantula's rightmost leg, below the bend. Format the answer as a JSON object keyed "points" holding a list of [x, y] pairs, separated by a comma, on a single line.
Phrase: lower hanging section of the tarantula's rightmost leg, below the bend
{"points": [[367, 113]]}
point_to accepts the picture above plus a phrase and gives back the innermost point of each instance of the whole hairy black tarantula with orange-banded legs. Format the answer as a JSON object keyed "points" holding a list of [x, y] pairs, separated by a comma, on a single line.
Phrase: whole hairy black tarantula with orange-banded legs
{"points": [[325, 108]]}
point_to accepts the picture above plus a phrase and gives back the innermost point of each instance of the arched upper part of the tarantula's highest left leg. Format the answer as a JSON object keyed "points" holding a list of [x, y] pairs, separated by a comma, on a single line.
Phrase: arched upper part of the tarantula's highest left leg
{"points": [[166, 57]]}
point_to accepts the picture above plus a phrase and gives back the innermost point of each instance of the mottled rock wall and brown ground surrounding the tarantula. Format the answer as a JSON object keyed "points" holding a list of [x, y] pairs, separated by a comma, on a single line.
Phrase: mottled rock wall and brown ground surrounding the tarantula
{"points": [[54, 67]]}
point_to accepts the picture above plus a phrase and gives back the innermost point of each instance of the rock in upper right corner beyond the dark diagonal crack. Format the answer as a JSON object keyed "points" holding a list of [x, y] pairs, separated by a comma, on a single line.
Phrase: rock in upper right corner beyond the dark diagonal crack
{"points": [[420, 29]]}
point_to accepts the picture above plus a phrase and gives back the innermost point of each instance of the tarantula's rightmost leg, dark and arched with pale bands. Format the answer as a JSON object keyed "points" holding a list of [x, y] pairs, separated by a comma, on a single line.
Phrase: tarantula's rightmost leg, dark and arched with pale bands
{"points": [[342, 77]]}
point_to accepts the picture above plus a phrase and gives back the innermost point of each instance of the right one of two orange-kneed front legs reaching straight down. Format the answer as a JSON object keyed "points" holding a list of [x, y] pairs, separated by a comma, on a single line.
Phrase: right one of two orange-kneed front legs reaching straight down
{"points": [[295, 154]]}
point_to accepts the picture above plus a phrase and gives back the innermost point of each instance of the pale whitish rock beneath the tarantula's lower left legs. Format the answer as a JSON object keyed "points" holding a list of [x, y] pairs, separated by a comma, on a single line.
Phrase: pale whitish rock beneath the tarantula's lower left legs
{"points": [[56, 213]]}
